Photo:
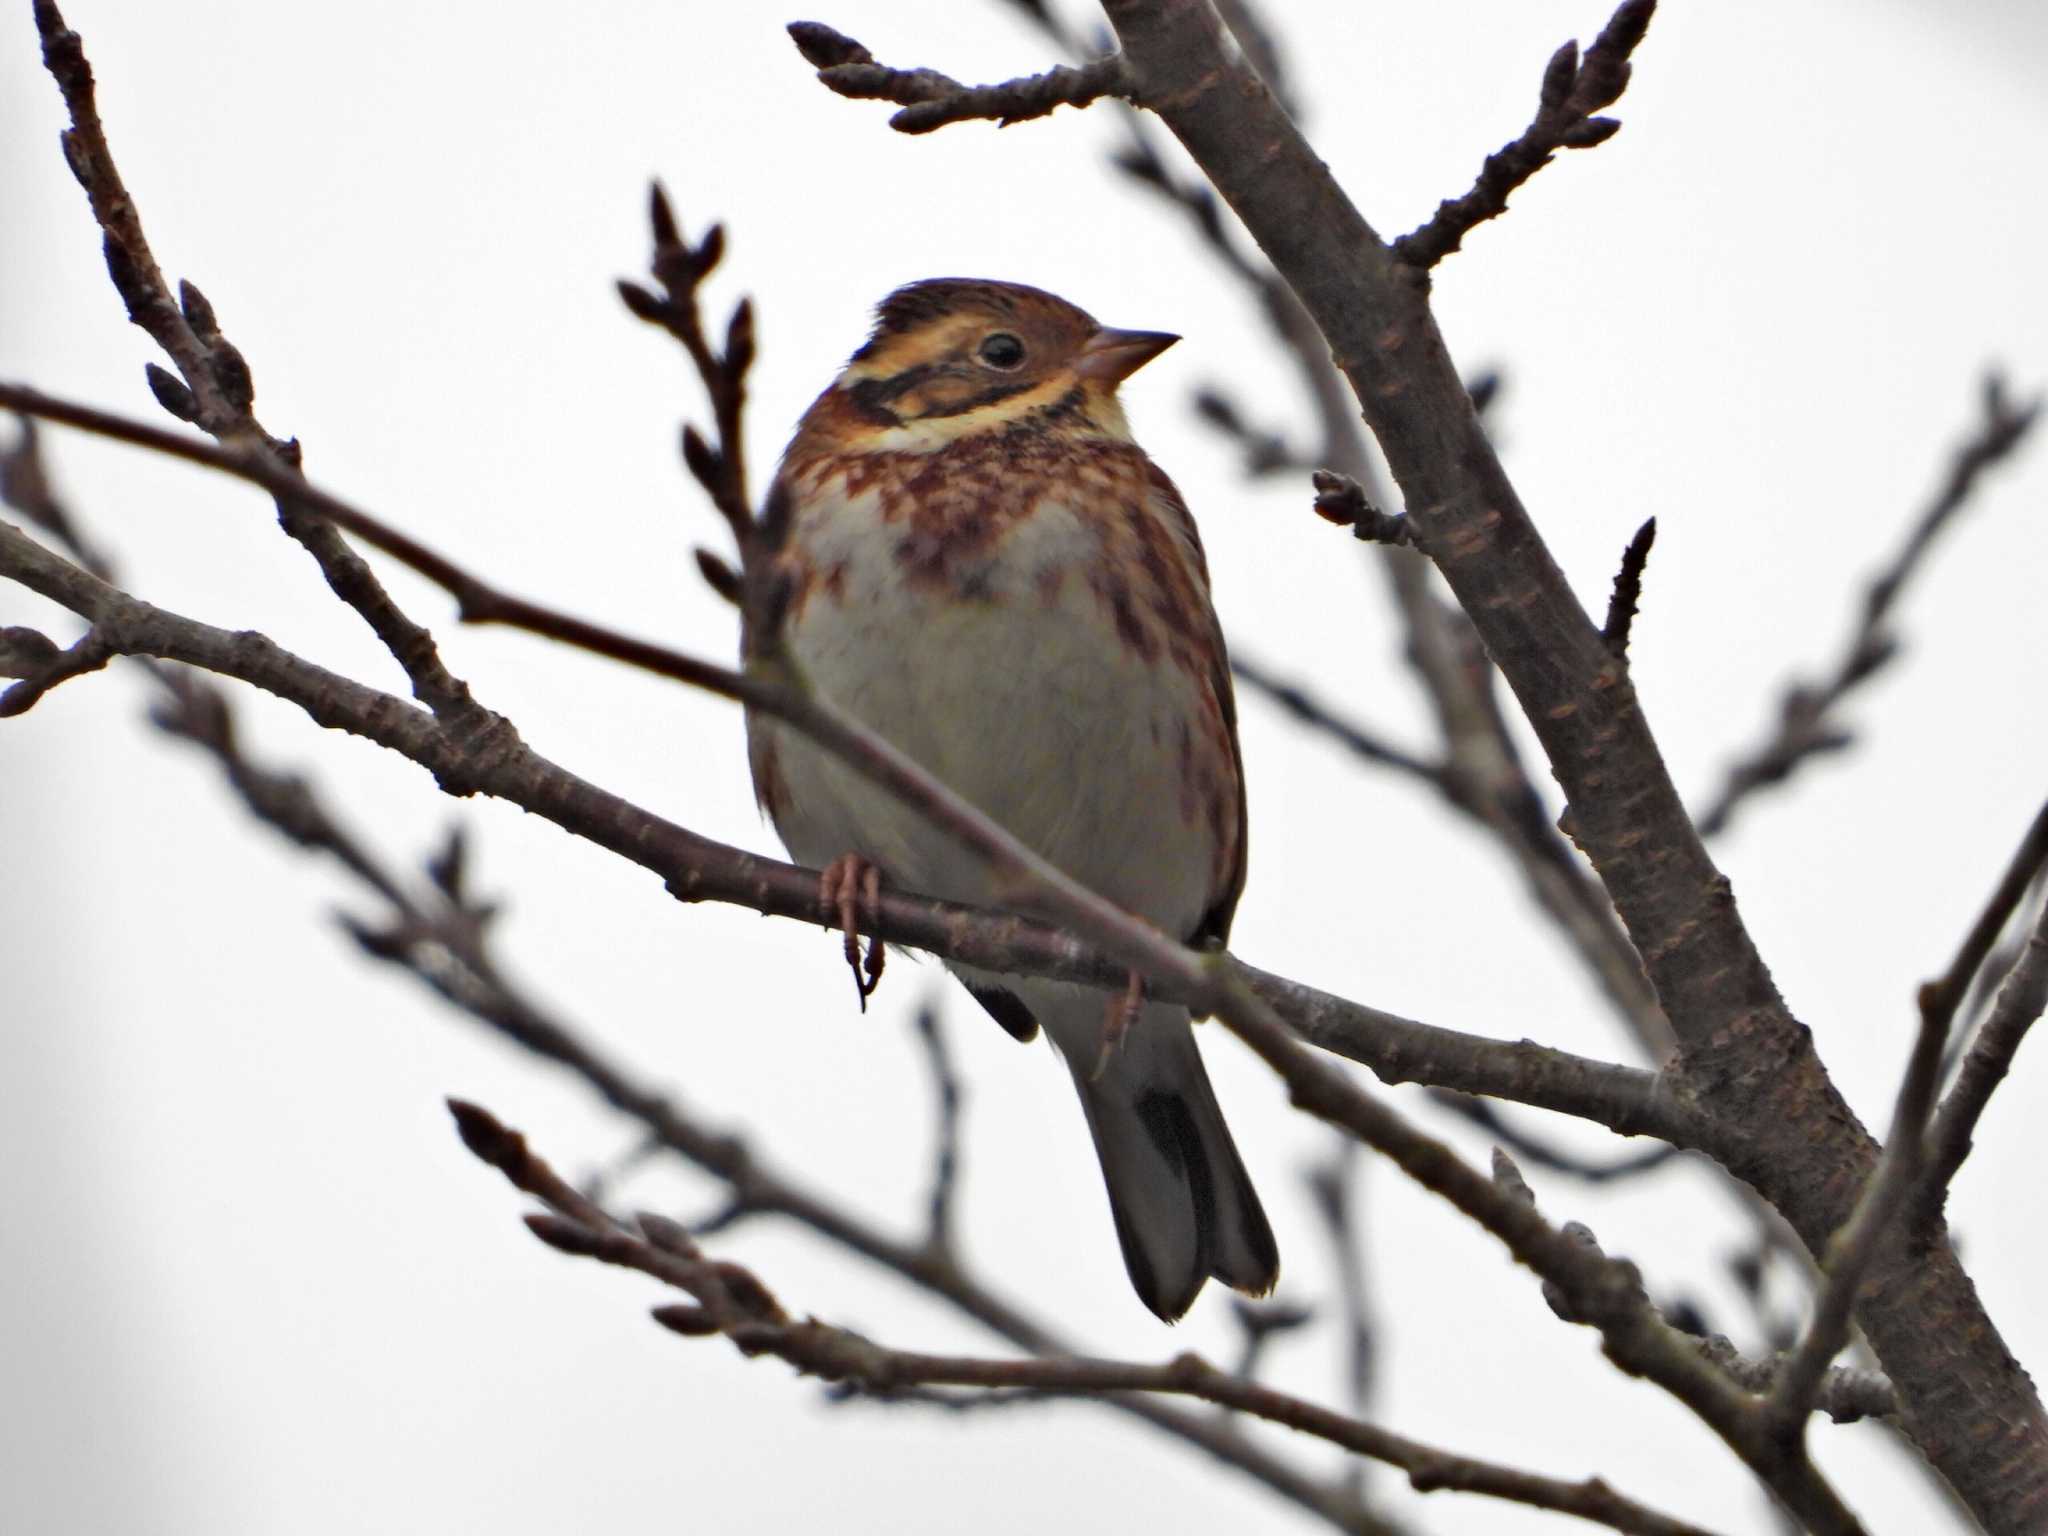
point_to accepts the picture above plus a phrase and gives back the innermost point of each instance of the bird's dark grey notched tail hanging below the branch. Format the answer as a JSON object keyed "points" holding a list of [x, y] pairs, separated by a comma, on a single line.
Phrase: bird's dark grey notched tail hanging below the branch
{"points": [[1179, 1191]]}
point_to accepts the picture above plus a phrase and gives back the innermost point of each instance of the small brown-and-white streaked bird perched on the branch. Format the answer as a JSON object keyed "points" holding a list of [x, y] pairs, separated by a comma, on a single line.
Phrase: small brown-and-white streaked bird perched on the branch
{"points": [[974, 558]]}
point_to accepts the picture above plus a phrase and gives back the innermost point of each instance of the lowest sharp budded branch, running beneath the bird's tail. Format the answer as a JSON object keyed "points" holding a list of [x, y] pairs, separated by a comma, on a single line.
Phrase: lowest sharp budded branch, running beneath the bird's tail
{"points": [[734, 1304]]}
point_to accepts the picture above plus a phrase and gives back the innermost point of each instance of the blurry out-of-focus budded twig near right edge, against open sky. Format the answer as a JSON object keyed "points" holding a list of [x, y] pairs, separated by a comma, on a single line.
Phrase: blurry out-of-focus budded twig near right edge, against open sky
{"points": [[1807, 712]]}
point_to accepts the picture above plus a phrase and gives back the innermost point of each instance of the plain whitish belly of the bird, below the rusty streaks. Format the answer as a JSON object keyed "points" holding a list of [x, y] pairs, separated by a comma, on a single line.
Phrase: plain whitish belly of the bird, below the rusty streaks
{"points": [[1021, 695]]}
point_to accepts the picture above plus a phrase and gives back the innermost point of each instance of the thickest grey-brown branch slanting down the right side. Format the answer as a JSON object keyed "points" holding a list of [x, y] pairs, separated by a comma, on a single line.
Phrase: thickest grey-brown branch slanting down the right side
{"points": [[1746, 1058]]}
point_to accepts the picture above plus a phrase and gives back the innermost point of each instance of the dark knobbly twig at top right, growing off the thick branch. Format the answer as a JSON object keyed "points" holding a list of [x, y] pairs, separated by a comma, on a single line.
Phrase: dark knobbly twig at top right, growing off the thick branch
{"points": [[1572, 93]]}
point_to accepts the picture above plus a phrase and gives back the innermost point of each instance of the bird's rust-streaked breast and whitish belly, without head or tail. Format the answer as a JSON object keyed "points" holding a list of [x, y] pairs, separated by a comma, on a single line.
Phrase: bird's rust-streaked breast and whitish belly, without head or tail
{"points": [[1039, 642]]}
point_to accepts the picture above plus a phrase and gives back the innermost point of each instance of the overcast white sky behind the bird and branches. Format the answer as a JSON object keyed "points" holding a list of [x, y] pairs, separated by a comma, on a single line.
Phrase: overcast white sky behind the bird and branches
{"points": [[251, 1281]]}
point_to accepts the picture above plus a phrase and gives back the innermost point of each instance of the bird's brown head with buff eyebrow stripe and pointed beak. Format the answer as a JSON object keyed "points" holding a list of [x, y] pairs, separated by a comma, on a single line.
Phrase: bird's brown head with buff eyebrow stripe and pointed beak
{"points": [[959, 357]]}
